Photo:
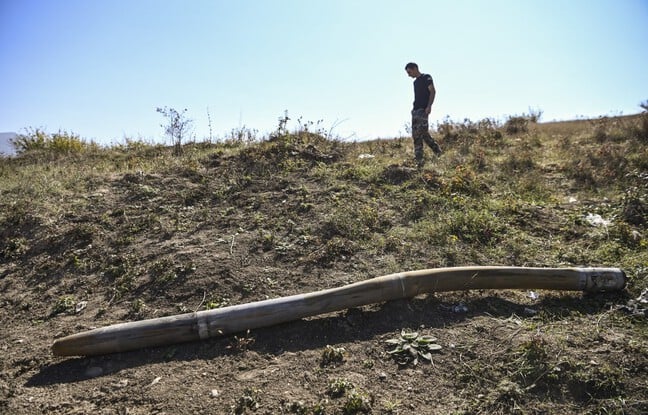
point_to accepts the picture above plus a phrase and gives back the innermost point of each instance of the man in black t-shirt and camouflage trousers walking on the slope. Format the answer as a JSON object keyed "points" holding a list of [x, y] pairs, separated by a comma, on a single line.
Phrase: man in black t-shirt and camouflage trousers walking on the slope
{"points": [[424, 94]]}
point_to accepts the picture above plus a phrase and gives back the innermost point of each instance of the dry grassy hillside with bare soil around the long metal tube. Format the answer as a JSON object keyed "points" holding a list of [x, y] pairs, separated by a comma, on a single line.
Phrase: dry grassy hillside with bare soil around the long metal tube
{"points": [[93, 236]]}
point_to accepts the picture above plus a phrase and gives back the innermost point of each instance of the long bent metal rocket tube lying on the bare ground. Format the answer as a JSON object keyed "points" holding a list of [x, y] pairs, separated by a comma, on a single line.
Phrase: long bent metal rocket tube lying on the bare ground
{"points": [[209, 323]]}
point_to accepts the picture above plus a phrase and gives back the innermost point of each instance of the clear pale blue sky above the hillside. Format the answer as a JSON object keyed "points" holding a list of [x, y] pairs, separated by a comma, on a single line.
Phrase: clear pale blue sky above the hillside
{"points": [[100, 68]]}
